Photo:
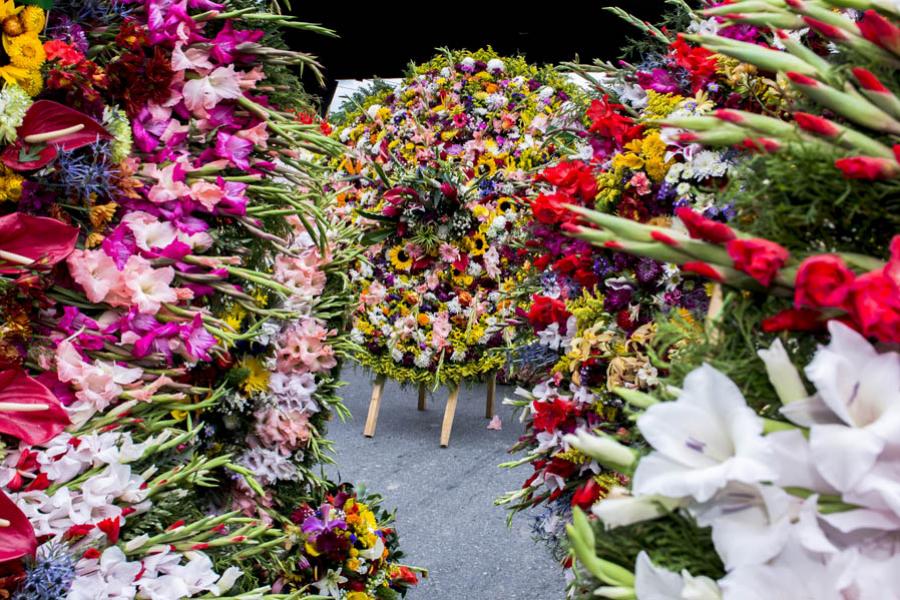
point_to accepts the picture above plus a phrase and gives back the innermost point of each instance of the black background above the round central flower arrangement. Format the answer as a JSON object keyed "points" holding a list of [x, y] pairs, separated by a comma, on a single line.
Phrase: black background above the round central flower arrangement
{"points": [[380, 38]]}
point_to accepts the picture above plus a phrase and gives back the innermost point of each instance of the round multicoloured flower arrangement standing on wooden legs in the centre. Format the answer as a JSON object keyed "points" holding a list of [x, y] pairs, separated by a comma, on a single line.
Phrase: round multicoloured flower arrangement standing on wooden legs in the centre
{"points": [[435, 170]]}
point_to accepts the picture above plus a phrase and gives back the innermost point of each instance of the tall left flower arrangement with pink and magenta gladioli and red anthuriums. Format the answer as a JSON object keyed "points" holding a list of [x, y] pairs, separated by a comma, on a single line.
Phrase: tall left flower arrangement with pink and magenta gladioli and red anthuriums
{"points": [[169, 316]]}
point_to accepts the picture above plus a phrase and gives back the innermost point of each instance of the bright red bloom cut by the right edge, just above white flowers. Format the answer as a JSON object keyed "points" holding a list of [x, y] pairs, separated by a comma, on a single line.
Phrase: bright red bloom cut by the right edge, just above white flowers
{"points": [[875, 305]]}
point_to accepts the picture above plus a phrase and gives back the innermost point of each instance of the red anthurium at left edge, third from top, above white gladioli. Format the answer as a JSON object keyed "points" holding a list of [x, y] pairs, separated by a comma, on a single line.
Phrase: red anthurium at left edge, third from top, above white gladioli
{"points": [[28, 410]]}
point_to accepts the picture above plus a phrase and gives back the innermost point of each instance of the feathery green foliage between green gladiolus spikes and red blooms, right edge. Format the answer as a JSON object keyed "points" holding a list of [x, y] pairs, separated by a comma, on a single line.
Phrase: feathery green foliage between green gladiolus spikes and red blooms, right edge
{"points": [[799, 199]]}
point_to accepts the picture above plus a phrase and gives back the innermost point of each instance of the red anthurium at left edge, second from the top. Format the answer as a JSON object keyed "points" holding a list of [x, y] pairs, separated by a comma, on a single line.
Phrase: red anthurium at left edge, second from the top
{"points": [[33, 241]]}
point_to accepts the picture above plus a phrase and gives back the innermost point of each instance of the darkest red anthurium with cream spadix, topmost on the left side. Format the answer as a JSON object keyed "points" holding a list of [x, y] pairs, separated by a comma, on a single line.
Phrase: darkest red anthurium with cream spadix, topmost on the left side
{"points": [[48, 127]]}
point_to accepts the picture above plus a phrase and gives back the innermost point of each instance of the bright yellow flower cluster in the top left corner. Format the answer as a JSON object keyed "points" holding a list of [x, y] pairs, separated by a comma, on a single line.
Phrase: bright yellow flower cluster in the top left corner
{"points": [[21, 26]]}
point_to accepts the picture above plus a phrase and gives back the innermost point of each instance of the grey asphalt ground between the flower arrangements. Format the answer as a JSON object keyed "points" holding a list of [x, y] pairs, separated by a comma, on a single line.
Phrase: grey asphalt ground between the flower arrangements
{"points": [[444, 496]]}
